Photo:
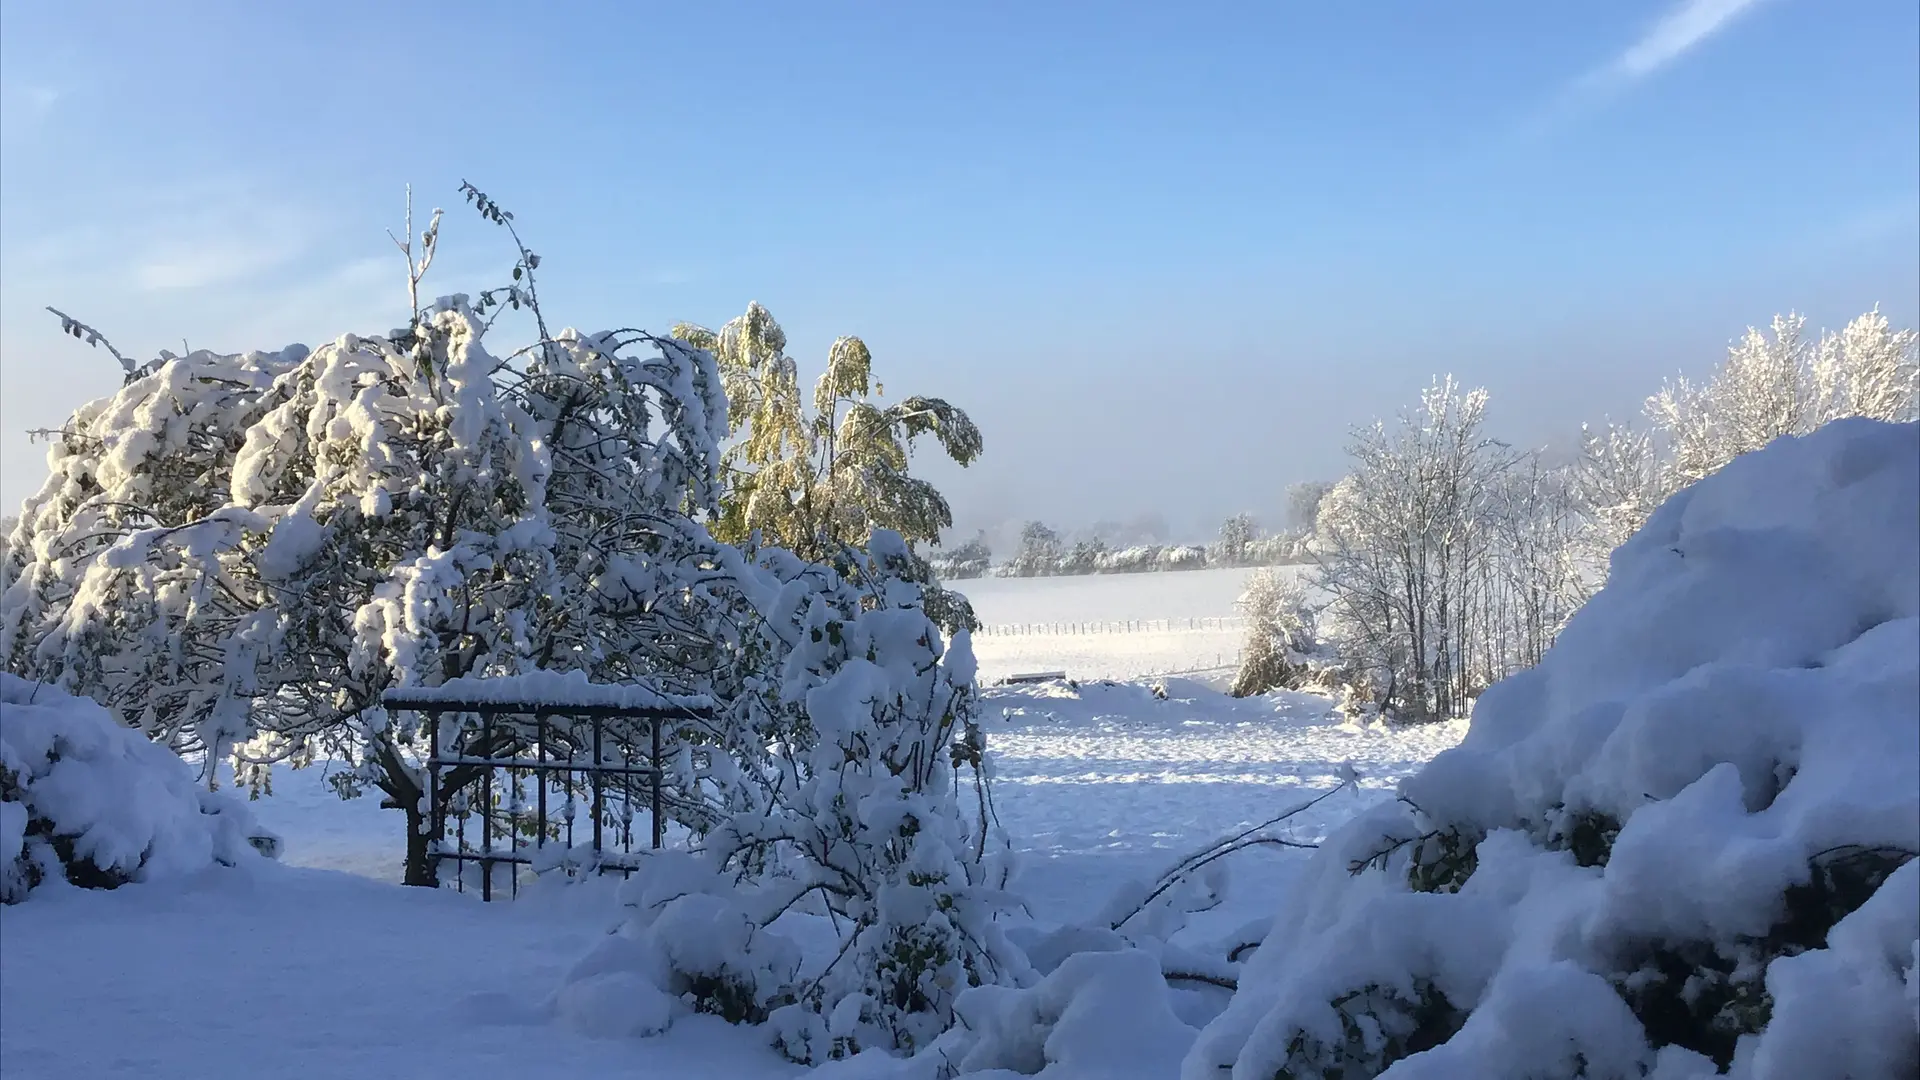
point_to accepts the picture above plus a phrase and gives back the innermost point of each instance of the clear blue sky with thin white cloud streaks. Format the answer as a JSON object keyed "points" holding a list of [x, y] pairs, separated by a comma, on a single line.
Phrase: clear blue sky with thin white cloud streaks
{"points": [[1164, 255]]}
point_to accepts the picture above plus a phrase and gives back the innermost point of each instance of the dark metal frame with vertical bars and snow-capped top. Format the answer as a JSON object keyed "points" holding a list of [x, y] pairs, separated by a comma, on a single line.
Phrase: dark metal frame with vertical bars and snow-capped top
{"points": [[562, 731]]}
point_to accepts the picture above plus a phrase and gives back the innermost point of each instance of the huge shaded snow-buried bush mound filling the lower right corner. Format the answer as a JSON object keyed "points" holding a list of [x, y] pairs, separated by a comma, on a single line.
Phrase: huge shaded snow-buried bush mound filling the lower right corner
{"points": [[1681, 847]]}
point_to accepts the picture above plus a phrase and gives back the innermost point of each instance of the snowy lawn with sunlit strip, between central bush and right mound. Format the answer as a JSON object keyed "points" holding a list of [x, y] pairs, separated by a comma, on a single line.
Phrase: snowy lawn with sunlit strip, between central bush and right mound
{"points": [[1111, 785]]}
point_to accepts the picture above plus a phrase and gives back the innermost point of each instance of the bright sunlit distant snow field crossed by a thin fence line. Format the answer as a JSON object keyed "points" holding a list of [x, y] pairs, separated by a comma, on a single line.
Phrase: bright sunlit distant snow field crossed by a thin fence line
{"points": [[1109, 599]]}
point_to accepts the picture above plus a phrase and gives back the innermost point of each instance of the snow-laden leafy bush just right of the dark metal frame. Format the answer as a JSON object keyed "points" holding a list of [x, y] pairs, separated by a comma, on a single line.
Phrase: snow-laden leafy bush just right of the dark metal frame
{"points": [[873, 718]]}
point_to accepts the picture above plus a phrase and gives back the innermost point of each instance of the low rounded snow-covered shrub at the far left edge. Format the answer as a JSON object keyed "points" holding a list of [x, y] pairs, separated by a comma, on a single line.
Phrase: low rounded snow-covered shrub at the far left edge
{"points": [[95, 804]]}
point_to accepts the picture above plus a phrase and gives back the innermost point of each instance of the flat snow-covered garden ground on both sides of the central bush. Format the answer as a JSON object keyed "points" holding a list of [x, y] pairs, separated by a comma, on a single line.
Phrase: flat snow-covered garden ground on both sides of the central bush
{"points": [[310, 971]]}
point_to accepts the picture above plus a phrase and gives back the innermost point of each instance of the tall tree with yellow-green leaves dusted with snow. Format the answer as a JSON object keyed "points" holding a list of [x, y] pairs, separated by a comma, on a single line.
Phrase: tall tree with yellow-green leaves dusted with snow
{"points": [[825, 478]]}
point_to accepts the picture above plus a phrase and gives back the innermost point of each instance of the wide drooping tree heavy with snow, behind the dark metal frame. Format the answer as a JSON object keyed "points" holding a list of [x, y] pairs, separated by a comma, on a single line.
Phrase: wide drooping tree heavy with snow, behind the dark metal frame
{"points": [[239, 554]]}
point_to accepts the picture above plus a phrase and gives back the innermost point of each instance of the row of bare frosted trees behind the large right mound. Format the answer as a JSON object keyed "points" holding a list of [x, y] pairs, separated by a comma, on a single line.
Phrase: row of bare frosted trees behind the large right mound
{"points": [[1447, 558]]}
